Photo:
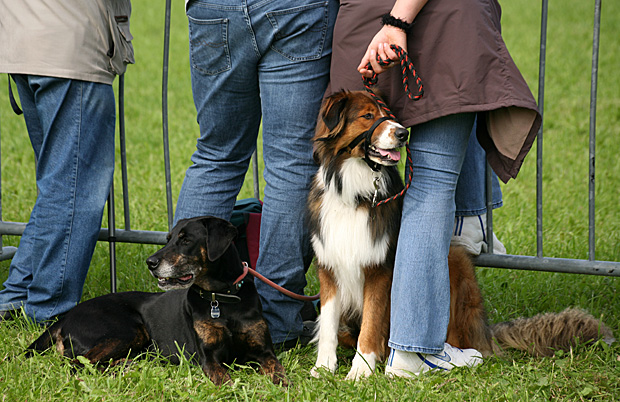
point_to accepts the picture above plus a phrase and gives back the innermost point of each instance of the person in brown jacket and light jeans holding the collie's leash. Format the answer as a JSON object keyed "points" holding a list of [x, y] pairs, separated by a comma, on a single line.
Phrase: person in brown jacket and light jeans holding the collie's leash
{"points": [[468, 76]]}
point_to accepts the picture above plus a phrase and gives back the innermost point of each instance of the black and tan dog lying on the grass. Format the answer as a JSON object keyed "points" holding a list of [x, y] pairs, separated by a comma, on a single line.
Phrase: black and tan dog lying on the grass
{"points": [[211, 311]]}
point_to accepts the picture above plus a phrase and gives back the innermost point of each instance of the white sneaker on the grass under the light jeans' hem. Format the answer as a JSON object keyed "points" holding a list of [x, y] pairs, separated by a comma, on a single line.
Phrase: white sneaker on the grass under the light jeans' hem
{"points": [[410, 364]]}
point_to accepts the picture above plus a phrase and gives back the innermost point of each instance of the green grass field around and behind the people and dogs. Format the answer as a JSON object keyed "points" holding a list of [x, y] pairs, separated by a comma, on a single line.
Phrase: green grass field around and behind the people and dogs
{"points": [[586, 373]]}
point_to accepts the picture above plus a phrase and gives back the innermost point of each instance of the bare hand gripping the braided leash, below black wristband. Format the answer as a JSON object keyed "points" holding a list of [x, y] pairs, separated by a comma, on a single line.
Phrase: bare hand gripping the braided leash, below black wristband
{"points": [[380, 45]]}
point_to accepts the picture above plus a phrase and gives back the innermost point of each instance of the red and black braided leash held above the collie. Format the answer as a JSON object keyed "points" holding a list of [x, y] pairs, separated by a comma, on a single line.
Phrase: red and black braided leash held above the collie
{"points": [[407, 69]]}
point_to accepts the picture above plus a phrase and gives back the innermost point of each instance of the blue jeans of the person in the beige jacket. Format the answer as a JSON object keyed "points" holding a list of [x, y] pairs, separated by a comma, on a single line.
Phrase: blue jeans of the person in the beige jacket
{"points": [[71, 129]]}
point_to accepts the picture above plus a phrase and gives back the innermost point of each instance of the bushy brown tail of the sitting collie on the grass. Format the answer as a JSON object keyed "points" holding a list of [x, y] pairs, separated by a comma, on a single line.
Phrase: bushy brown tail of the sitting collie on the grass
{"points": [[545, 333]]}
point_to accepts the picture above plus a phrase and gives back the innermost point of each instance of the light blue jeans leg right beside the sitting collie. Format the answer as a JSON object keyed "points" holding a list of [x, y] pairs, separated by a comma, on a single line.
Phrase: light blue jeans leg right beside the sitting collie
{"points": [[420, 307]]}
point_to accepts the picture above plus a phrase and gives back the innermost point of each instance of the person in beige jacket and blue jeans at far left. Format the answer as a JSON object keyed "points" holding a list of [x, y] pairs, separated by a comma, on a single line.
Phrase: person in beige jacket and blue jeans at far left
{"points": [[63, 68]]}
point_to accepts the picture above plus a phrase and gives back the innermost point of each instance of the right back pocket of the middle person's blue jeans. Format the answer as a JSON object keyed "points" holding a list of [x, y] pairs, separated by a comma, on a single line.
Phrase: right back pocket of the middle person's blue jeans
{"points": [[300, 31]]}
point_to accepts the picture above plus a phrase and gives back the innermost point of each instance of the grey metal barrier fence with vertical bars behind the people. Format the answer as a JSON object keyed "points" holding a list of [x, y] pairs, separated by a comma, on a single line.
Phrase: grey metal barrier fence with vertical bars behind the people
{"points": [[537, 263]]}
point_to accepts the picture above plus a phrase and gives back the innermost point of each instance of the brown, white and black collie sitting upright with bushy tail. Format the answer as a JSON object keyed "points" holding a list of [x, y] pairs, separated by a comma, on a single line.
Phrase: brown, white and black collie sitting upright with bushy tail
{"points": [[357, 150]]}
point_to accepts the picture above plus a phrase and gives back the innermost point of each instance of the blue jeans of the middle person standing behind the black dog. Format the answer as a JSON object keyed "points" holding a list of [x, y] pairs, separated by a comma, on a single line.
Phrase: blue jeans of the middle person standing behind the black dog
{"points": [[251, 60]]}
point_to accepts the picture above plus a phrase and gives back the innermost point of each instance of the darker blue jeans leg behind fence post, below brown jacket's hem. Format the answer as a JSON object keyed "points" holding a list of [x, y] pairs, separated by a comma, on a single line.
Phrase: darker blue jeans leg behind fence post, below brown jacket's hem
{"points": [[470, 189]]}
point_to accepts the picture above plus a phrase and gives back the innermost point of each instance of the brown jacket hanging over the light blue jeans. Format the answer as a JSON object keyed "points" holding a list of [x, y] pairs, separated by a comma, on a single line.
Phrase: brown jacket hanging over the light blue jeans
{"points": [[457, 49]]}
